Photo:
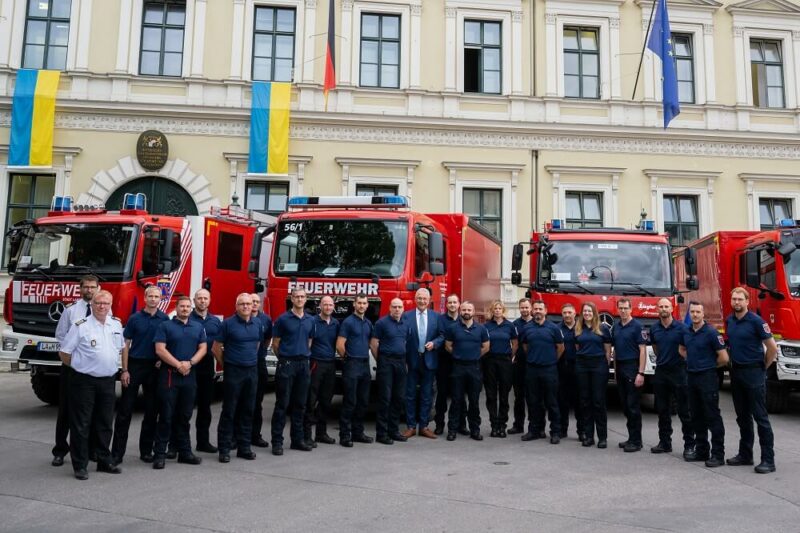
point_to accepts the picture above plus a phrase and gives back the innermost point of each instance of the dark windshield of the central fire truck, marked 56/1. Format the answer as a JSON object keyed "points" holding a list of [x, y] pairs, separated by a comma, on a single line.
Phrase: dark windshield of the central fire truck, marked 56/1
{"points": [[341, 248]]}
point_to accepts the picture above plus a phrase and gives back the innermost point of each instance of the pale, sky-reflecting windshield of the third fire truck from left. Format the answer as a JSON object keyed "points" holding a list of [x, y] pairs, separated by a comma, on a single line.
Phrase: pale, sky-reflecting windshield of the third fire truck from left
{"points": [[625, 267]]}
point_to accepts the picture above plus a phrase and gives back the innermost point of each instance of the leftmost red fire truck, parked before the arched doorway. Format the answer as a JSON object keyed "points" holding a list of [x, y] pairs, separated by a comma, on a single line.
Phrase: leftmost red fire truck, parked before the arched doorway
{"points": [[127, 250]]}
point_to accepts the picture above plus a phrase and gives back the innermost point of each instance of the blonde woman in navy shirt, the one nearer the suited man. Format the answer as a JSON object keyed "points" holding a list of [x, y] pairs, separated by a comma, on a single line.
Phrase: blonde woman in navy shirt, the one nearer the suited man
{"points": [[497, 366]]}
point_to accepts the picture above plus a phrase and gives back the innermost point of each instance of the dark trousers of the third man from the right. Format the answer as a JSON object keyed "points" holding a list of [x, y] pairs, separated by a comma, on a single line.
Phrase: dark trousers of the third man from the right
{"points": [[668, 381]]}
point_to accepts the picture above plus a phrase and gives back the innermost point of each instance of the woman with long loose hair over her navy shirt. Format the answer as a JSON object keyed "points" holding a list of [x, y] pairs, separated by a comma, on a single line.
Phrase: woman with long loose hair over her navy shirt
{"points": [[593, 342]]}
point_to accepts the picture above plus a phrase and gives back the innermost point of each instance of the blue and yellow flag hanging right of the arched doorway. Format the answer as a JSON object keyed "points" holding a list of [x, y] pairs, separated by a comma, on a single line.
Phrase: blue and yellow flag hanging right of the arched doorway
{"points": [[269, 128]]}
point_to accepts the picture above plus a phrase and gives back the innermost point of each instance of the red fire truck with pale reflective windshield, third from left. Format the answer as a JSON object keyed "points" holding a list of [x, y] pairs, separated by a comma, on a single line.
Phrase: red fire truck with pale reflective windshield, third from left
{"points": [[599, 265]]}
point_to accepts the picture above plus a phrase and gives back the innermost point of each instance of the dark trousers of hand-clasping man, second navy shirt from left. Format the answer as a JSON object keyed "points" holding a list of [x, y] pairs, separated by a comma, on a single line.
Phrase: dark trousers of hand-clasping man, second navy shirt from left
{"points": [[176, 395]]}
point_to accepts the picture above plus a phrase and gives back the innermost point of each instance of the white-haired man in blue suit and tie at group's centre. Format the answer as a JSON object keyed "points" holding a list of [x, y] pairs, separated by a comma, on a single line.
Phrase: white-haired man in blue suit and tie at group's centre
{"points": [[422, 348]]}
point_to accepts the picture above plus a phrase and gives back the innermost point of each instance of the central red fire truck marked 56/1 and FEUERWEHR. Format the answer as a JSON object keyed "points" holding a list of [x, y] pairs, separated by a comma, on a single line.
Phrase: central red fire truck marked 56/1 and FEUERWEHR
{"points": [[342, 246]]}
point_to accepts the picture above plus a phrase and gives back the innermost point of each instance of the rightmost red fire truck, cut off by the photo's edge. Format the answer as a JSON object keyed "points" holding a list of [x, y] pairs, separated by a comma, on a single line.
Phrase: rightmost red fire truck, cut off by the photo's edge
{"points": [[767, 264]]}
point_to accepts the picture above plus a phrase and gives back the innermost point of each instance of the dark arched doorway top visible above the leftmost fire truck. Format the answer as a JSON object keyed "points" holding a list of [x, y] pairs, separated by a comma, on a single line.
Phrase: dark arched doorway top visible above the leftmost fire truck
{"points": [[164, 197]]}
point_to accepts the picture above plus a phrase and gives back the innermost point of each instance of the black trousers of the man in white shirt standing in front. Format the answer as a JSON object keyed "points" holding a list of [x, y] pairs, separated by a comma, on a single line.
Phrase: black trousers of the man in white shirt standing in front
{"points": [[91, 402]]}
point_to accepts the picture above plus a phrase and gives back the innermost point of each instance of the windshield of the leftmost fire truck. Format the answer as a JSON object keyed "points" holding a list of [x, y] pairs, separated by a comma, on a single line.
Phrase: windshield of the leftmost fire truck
{"points": [[57, 250]]}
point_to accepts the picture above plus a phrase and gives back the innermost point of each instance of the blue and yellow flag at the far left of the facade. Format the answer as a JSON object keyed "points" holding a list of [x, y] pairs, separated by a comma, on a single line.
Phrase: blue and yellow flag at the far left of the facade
{"points": [[33, 113]]}
